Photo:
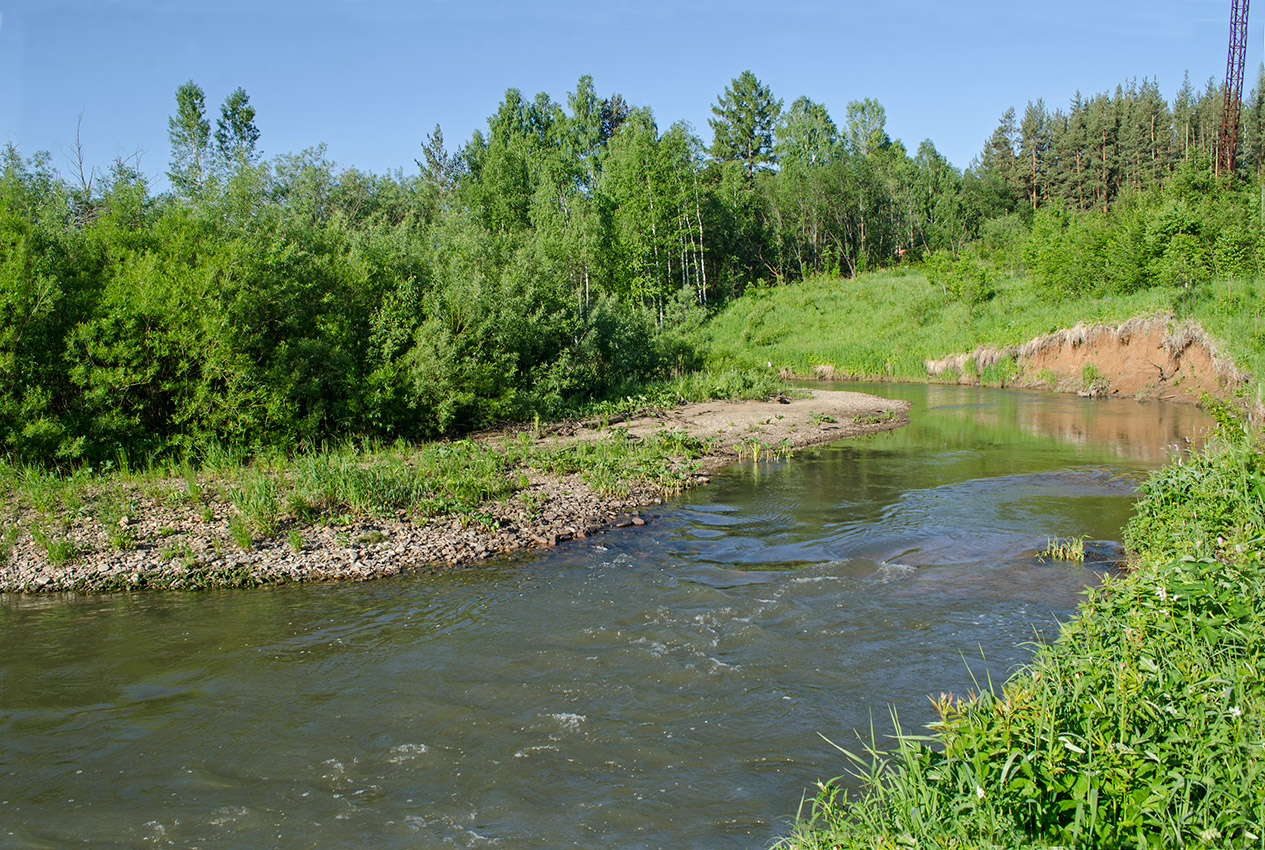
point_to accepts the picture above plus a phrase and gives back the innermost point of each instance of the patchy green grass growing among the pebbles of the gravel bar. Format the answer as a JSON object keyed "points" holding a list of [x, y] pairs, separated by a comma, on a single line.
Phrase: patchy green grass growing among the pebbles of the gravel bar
{"points": [[270, 495]]}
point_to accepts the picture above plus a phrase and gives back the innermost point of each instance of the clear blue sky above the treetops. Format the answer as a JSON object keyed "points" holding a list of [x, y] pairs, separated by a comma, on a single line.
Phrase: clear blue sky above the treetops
{"points": [[373, 78]]}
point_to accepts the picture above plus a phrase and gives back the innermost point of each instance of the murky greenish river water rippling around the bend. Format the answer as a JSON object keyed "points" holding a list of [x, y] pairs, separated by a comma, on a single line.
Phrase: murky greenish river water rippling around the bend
{"points": [[661, 687]]}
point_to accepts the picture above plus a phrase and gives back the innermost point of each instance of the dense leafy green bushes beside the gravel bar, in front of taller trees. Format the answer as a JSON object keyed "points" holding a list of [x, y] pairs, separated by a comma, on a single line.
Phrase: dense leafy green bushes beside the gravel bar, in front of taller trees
{"points": [[287, 307]]}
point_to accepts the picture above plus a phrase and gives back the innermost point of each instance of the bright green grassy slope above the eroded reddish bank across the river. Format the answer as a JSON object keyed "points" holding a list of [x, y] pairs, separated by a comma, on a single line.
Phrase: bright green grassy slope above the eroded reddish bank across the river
{"points": [[889, 324]]}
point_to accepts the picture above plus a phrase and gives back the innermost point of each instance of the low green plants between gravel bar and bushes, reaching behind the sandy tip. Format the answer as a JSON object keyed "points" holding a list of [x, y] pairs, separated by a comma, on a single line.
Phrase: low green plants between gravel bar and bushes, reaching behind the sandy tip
{"points": [[270, 493]]}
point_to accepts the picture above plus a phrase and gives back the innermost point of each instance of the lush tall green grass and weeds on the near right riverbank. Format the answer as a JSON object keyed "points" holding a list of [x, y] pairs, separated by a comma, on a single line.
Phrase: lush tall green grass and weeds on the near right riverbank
{"points": [[1143, 725]]}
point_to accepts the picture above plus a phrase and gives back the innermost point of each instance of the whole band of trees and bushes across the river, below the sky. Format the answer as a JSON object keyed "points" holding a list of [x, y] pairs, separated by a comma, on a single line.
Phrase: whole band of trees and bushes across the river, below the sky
{"points": [[561, 256]]}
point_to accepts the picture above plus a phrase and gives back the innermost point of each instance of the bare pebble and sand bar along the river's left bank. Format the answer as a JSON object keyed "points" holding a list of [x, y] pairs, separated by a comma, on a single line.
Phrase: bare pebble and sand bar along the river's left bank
{"points": [[178, 545]]}
